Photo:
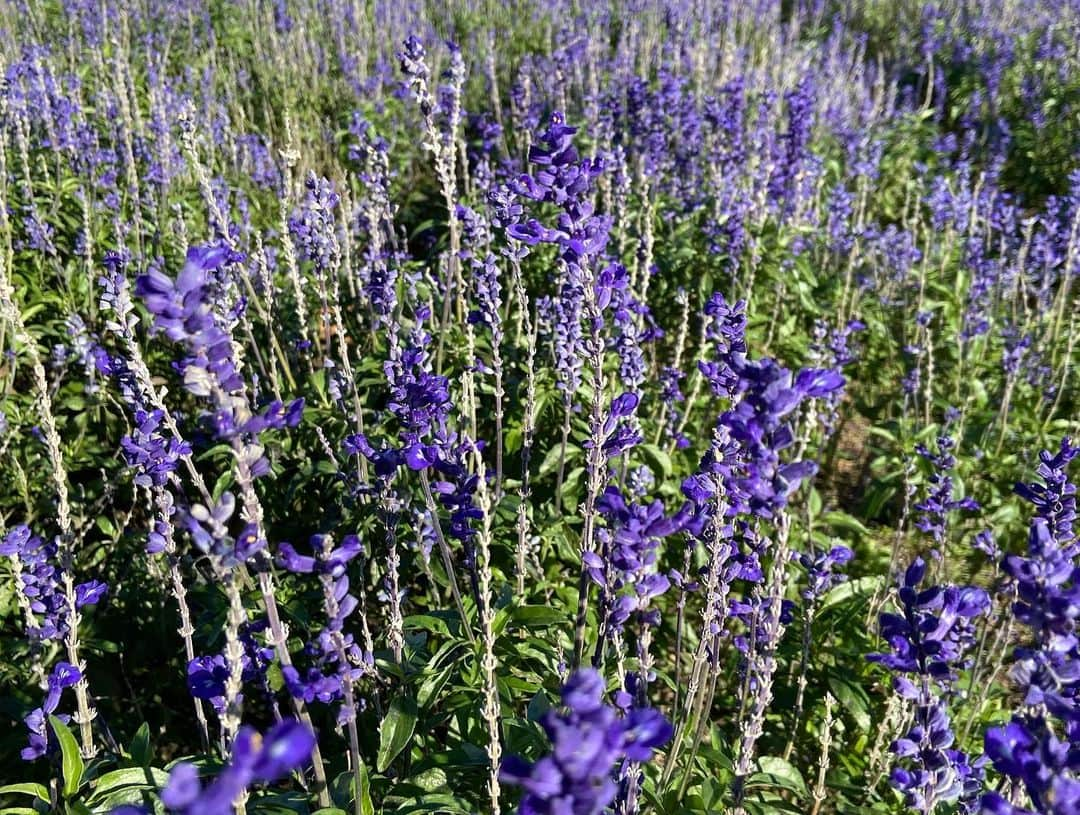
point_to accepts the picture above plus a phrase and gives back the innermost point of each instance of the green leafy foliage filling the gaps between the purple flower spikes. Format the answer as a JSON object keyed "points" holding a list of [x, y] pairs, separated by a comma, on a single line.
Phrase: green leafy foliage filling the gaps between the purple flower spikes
{"points": [[423, 733]]}
